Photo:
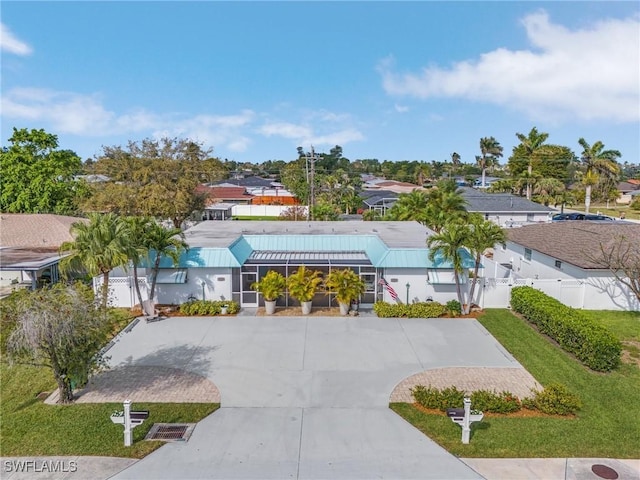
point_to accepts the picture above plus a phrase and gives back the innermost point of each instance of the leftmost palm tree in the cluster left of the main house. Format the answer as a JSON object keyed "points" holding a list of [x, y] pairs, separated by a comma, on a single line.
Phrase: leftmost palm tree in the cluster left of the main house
{"points": [[98, 248]]}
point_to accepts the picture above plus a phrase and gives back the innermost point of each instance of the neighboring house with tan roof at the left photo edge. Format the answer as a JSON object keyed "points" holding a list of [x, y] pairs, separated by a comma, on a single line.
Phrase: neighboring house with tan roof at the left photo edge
{"points": [[29, 245]]}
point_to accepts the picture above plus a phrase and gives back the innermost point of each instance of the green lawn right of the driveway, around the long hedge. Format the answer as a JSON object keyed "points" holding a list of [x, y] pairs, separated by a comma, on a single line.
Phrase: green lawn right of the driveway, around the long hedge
{"points": [[607, 426]]}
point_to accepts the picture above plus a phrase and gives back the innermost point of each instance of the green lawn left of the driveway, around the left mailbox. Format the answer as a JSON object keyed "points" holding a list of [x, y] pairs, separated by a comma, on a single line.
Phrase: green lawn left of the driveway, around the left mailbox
{"points": [[30, 427]]}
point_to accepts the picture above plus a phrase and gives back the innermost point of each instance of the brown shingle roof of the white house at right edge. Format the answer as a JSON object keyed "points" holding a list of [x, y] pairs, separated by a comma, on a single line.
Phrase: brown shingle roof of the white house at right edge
{"points": [[572, 241]]}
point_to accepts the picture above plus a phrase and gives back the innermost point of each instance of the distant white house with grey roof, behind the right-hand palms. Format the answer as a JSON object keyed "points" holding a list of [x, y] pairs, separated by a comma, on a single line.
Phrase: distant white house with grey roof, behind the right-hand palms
{"points": [[505, 209]]}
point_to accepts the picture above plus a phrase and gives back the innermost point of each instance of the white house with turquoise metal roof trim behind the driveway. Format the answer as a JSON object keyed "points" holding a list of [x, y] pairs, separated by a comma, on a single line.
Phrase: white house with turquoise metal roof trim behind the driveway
{"points": [[223, 263]]}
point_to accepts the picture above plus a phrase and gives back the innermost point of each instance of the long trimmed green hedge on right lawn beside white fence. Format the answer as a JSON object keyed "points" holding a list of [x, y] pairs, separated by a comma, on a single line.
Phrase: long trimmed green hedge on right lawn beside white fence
{"points": [[594, 345]]}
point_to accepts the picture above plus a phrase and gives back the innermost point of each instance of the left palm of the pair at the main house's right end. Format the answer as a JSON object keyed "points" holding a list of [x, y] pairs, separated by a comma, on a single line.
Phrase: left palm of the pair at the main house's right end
{"points": [[448, 246]]}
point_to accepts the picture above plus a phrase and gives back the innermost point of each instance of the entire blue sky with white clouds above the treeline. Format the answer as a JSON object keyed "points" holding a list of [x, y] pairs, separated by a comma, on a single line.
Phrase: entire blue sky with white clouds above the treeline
{"points": [[386, 80]]}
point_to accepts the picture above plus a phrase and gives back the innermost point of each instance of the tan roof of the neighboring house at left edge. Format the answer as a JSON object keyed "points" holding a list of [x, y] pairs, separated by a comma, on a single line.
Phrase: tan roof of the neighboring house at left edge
{"points": [[35, 230]]}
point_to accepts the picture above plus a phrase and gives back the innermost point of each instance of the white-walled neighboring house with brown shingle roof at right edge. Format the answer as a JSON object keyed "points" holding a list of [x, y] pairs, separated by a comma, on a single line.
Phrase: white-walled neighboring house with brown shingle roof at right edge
{"points": [[555, 257]]}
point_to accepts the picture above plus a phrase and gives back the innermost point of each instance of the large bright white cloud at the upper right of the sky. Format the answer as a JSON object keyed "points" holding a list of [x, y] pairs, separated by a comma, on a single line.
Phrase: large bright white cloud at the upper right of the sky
{"points": [[587, 74]]}
